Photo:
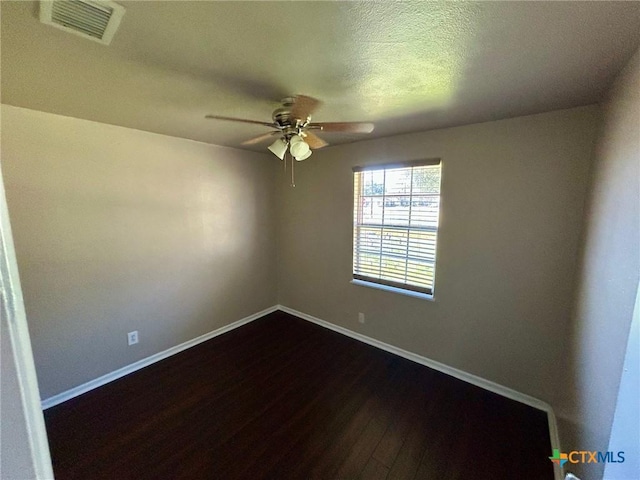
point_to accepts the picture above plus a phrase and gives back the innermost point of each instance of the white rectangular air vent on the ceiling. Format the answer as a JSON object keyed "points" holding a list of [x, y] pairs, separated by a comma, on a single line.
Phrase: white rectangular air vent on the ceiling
{"points": [[94, 19]]}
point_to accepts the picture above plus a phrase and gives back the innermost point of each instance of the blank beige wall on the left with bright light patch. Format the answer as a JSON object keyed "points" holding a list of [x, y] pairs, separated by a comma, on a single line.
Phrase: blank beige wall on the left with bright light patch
{"points": [[119, 230]]}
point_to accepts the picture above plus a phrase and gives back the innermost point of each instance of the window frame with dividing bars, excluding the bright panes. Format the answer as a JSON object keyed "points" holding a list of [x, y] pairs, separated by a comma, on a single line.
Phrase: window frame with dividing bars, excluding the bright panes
{"points": [[380, 283]]}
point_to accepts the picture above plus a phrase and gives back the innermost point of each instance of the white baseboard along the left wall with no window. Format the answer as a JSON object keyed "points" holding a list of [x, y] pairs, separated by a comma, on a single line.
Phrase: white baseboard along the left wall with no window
{"points": [[121, 372]]}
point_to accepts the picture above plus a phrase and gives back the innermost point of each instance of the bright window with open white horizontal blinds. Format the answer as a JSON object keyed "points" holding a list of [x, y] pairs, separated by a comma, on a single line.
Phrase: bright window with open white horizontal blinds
{"points": [[395, 225]]}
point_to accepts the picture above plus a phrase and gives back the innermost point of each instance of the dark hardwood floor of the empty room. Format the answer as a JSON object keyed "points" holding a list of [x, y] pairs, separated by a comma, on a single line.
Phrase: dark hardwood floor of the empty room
{"points": [[281, 398]]}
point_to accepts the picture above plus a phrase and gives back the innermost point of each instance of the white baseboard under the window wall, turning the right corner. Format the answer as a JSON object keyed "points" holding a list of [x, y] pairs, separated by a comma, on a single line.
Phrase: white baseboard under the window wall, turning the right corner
{"points": [[454, 372]]}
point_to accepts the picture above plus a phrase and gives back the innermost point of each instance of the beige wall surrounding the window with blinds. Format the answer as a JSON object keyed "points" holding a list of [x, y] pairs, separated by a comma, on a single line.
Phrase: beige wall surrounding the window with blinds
{"points": [[512, 208]]}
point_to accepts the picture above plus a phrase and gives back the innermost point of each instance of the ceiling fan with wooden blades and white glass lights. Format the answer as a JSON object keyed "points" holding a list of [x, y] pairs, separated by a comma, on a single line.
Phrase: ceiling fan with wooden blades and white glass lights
{"points": [[293, 127]]}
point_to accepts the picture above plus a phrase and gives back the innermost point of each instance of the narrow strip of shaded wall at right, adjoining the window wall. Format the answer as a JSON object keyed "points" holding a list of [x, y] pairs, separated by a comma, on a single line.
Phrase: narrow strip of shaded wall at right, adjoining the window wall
{"points": [[608, 277]]}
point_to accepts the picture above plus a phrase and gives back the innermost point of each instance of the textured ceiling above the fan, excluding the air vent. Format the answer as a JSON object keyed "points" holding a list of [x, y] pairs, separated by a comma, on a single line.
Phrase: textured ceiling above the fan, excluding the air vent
{"points": [[406, 66]]}
